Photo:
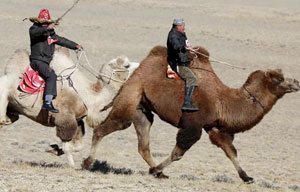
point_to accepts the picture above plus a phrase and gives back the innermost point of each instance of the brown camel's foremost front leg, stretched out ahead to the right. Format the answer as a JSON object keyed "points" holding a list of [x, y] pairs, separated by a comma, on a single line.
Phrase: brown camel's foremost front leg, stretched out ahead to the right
{"points": [[224, 141]]}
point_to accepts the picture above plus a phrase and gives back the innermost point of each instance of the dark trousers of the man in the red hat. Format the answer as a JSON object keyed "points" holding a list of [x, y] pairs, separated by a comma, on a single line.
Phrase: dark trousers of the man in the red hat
{"points": [[47, 74]]}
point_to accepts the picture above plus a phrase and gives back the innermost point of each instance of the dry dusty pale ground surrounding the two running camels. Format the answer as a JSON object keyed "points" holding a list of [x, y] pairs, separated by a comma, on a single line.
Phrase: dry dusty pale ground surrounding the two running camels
{"points": [[258, 34]]}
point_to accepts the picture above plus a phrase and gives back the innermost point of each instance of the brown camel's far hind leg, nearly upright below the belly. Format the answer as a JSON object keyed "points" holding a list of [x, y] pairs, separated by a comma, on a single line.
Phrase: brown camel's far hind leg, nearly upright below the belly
{"points": [[142, 124]]}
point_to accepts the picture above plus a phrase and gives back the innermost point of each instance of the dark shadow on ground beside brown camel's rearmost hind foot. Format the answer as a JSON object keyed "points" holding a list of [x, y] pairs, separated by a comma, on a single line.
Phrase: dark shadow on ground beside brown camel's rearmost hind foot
{"points": [[105, 168]]}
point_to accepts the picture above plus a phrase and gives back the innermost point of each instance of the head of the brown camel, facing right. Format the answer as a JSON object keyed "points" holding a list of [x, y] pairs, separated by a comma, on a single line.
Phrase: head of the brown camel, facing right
{"points": [[278, 84]]}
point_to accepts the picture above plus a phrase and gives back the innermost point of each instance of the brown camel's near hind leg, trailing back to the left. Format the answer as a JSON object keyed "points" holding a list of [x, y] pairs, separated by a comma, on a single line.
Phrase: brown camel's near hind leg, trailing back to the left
{"points": [[120, 117]]}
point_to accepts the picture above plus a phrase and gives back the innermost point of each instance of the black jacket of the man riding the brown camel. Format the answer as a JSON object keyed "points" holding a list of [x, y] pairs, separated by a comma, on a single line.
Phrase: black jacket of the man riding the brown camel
{"points": [[177, 54]]}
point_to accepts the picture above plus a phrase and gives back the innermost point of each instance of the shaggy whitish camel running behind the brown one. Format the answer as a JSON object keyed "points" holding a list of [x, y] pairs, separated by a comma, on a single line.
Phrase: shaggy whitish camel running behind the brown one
{"points": [[71, 101]]}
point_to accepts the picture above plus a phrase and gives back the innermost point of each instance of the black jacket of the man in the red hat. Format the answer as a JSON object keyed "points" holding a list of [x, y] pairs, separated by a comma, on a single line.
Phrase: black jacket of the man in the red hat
{"points": [[40, 49]]}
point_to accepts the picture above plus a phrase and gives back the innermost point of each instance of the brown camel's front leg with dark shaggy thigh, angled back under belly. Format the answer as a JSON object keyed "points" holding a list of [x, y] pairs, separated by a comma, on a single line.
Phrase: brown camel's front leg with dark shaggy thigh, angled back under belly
{"points": [[185, 139]]}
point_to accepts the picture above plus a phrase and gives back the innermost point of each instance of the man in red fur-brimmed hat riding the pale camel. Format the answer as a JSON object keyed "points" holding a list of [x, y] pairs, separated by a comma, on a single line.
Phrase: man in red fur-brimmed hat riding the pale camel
{"points": [[42, 44]]}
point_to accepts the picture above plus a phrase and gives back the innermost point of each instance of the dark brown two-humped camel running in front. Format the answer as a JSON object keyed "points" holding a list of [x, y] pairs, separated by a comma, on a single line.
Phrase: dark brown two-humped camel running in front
{"points": [[223, 111]]}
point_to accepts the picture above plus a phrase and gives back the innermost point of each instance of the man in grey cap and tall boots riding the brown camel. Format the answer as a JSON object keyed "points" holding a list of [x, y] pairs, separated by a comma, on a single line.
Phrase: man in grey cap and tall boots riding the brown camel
{"points": [[178, 58]]}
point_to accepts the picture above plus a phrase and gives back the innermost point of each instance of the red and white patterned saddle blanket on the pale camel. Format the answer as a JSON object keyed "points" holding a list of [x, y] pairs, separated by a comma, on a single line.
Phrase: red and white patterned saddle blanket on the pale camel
{"points": [[32, 82]]}
